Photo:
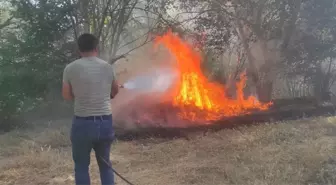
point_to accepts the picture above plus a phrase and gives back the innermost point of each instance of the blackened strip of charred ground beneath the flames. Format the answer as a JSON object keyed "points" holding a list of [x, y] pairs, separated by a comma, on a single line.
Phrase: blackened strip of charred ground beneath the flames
{"points": [[161, 120]]}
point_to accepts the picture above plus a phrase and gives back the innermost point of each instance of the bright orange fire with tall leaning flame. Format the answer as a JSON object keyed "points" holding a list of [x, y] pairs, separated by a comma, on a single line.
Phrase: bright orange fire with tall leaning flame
{"points": [[198, 98]]}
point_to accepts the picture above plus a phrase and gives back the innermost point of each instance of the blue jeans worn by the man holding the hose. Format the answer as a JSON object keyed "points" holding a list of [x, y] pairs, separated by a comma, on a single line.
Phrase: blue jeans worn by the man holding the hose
{"points": [[92, 133]]}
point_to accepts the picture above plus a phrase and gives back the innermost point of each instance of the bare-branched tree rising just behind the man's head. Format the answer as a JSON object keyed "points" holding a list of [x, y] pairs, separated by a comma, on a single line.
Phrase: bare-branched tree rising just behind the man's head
{"points": [[121, 25]]}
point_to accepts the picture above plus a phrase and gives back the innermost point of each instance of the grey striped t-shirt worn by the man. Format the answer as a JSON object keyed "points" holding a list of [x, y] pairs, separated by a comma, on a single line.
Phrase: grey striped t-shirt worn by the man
{"points": [[91, 81]]}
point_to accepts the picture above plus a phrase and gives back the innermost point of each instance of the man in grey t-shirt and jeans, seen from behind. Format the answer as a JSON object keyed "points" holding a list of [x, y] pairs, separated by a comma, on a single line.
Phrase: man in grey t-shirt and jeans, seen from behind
{"points": [[90, 82]]}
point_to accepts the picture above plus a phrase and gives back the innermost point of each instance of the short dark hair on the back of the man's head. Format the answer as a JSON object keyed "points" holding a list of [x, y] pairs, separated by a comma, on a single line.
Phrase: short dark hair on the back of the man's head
{"points": [[87, 42]]}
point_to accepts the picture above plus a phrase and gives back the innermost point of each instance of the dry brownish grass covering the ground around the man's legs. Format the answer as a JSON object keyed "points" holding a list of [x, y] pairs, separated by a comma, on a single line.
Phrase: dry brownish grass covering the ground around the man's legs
{"points": [[299, 152]]}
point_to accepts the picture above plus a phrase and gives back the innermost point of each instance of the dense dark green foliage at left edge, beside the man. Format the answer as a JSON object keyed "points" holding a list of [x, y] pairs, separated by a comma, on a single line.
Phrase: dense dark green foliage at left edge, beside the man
{"points": [[31, 60]]}
